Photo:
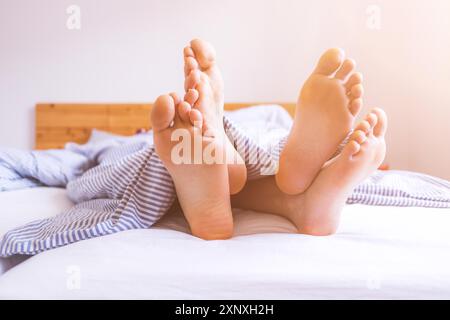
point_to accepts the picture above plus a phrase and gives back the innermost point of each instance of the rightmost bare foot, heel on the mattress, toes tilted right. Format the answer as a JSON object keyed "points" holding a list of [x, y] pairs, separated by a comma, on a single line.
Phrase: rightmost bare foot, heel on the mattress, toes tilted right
{"points": [[317, 211]]}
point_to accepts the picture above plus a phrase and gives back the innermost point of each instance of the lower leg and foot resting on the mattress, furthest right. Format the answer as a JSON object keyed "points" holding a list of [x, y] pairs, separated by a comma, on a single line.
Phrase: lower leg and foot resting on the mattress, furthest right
{"points": [[317, 211]]}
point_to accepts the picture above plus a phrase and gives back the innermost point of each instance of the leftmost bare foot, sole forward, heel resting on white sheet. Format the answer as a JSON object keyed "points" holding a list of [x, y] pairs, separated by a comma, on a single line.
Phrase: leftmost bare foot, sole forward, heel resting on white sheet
{"points": [[202, 187]]}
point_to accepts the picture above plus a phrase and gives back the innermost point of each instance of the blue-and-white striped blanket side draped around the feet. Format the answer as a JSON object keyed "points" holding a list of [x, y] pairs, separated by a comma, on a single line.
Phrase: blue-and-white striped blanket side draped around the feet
{"points": [[130, 189]]}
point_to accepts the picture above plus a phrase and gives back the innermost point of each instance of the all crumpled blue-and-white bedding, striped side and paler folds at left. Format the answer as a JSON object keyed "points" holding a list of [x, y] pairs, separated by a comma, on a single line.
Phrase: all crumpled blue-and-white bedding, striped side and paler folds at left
{"points": [[119, 183]]}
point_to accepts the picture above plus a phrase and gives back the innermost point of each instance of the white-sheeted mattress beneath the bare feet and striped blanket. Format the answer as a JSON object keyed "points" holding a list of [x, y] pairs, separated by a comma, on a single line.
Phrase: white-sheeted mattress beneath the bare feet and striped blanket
{"points": [[378, 253]]}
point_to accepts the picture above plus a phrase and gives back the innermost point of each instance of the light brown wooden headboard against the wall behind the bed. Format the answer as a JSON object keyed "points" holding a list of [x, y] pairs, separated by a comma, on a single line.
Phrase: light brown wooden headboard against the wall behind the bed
{"points": [[59, 123]]}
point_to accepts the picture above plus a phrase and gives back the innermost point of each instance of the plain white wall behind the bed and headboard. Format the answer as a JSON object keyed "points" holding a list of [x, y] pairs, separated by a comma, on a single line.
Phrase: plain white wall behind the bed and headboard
{"points": [[130, 50]]}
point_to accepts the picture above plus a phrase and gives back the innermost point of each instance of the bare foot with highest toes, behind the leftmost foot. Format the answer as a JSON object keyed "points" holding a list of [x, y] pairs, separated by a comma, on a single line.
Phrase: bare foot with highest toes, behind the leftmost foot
{"points": [[201, 67]]}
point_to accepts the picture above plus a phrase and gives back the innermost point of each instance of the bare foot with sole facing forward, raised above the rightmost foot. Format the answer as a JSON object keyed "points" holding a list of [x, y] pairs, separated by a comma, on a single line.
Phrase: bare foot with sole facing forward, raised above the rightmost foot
{"points": [[328, 104]]}
